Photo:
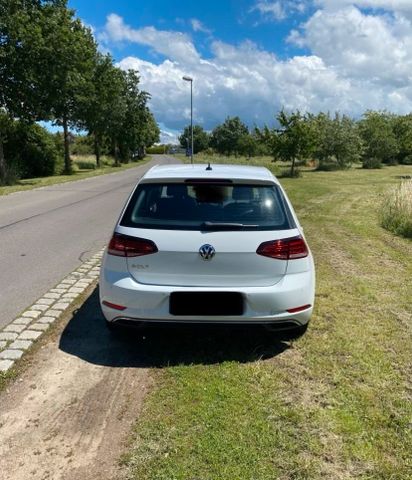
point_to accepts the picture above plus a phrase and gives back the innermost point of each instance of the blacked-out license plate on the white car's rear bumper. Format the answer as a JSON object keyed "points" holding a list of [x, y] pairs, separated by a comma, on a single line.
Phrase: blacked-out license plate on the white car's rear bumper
{"points": [[206, 303]]}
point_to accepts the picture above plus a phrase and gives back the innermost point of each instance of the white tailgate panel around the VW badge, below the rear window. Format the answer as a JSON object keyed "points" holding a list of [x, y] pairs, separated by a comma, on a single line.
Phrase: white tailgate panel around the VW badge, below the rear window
{"points": [[178, 262]]}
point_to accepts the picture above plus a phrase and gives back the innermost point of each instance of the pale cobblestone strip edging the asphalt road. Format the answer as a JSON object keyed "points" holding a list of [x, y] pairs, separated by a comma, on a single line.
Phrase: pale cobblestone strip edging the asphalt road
{"points": [[20, 334]]}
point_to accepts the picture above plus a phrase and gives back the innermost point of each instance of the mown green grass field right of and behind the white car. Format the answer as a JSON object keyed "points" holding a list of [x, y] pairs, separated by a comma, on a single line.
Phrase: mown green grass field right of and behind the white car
{"points": [[335, 404]]}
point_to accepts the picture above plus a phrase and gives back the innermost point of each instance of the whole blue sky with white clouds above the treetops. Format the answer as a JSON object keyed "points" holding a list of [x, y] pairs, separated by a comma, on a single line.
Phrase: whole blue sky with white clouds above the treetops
{"points": [[253, 57]]}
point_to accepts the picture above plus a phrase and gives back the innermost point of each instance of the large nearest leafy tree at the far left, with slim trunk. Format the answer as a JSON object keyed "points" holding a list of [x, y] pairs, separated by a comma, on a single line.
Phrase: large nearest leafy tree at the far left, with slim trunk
{"points": [[46, 63]]}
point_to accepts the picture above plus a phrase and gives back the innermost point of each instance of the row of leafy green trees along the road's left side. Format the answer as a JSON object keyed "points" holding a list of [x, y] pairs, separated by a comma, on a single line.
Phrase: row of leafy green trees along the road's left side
{"points": [[50, 69]]}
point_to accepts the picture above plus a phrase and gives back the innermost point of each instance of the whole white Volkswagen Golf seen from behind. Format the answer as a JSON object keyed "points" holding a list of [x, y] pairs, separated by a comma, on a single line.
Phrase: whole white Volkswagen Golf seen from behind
{"points": [[216, 244]]}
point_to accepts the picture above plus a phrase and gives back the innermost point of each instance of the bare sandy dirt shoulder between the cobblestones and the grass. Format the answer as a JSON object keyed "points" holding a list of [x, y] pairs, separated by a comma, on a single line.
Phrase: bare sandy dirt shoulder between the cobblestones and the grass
{"points": [[69, 415]]}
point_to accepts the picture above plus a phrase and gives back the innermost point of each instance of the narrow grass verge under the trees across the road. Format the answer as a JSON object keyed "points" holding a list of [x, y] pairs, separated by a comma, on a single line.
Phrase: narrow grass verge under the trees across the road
{"points": [[78, 174]]}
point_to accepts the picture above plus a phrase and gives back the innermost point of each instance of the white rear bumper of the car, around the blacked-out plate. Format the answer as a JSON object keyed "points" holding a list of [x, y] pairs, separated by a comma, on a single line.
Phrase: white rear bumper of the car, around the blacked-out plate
{"points": [[262, 305]]}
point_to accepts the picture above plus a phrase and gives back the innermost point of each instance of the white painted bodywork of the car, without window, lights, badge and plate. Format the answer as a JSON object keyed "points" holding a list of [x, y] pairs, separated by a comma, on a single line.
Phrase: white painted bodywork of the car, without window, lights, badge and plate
{"points": [[269, 287]]}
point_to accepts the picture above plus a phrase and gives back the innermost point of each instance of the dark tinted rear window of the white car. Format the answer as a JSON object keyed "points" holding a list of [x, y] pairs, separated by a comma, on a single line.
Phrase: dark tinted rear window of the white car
{"points": [[207, 206]]}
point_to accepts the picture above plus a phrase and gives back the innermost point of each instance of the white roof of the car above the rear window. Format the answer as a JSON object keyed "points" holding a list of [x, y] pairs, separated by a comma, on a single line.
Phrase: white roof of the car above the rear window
{"points": [[177, 172]]}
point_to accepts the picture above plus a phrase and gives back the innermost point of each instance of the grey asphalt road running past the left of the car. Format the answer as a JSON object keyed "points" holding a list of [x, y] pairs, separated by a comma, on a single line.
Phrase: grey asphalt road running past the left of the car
{"points": [[46, 233]]}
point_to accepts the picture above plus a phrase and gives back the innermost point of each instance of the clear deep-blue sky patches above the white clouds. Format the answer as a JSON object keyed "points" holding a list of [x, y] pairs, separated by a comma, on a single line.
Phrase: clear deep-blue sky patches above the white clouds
{"points": [[229, 21]]}
